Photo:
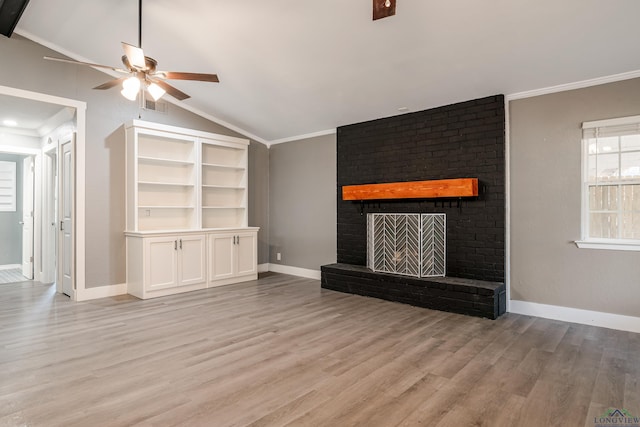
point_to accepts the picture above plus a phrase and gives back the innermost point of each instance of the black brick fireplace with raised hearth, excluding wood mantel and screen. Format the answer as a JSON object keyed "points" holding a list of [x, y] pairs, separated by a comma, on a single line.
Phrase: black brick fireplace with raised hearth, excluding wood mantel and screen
{"points": [[460, 140]]}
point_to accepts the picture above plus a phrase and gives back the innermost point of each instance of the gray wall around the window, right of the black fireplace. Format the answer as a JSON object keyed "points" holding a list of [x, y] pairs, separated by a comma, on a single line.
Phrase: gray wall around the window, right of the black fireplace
{"points": [[545, 143]]}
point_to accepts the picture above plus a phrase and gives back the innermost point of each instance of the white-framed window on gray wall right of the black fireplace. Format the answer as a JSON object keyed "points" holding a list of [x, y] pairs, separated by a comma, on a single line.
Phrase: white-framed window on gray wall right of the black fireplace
{"points": [[611, 184]]}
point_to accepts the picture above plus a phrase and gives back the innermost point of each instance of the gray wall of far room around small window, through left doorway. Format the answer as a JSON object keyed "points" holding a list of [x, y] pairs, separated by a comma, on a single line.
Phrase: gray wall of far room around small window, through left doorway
{"points": [[10, 229]]}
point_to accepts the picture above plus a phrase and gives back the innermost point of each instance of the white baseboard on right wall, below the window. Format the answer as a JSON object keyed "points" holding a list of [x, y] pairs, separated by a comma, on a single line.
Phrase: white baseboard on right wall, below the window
{"points": [[575, 315]]}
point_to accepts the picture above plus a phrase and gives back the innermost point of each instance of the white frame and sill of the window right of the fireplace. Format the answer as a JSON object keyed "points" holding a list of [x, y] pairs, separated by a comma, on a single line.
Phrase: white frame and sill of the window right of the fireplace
{"points": [[587, 242]]}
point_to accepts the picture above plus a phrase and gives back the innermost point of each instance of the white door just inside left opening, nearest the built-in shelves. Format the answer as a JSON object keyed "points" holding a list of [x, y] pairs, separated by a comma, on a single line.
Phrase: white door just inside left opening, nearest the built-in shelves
{"points": [[66, 202]]}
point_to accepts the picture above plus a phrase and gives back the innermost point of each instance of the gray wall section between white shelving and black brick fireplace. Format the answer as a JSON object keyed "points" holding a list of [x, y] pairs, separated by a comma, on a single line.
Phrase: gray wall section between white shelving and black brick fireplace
{"points": [[302, 202]]}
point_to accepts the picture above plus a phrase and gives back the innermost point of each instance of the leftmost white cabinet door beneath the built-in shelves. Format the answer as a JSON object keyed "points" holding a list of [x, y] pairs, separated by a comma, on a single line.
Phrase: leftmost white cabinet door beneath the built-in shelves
{"points": [[161, 266]]}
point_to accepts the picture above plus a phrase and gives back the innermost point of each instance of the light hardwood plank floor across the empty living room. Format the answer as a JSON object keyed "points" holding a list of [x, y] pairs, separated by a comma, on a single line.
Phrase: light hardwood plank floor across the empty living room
{"points": [[282, 351]]}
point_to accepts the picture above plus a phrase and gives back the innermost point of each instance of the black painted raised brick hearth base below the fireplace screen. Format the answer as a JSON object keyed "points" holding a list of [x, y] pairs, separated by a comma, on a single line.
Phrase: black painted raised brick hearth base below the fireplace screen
{"points": [[465, 296]]}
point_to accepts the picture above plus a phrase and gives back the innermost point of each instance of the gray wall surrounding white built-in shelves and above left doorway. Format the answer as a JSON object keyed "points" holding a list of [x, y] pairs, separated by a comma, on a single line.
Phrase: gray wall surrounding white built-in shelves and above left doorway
{"points": [[24, 68]]}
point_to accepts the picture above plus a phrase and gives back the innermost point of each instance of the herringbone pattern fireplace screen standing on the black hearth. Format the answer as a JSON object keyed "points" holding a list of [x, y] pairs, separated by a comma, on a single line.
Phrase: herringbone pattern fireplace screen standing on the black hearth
{"points": [[408, 244]]}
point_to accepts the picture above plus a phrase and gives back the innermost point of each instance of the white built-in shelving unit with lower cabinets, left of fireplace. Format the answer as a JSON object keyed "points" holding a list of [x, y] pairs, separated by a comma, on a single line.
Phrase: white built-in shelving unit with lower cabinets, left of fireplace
{"points": [[186, 201]]}
